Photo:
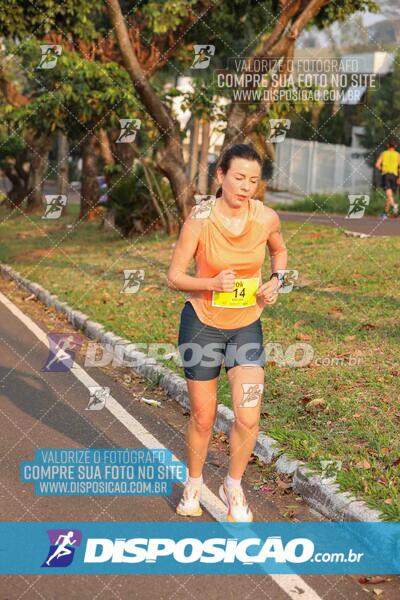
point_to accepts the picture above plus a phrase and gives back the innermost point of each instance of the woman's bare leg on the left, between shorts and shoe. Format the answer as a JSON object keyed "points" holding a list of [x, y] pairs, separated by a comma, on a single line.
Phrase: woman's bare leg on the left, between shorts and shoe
{"points": [[203, 402]]}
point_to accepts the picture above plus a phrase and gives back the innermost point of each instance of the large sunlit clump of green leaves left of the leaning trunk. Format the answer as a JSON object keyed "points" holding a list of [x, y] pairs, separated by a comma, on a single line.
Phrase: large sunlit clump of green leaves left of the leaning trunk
{"points": [[77, 95]]}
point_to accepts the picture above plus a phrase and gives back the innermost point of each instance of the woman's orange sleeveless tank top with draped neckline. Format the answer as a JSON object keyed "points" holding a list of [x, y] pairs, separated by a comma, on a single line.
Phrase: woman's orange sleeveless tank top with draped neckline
{"points": [[218, 249]]}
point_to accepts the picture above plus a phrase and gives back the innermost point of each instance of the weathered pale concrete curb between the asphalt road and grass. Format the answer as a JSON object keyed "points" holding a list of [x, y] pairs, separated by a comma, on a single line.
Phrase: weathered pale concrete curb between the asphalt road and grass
{"points": [[320, 493]]}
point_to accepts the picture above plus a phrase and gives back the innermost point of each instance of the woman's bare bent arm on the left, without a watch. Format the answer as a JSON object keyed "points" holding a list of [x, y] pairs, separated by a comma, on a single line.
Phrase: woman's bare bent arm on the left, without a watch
{"points": [[184, 251]]}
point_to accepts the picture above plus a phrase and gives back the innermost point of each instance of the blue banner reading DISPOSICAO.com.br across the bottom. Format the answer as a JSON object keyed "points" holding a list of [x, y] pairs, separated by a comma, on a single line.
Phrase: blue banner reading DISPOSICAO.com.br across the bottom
{"points": [[199, 548]]}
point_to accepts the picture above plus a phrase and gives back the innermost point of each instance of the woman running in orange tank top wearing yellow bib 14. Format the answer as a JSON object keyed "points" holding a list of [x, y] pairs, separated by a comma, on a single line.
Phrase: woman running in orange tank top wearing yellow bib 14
{"points": [[220, 321]]}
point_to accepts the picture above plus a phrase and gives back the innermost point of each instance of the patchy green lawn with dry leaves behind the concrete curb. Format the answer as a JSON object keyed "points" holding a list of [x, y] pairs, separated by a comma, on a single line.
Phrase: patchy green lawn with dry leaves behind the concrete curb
{"points": [[346, 307]]}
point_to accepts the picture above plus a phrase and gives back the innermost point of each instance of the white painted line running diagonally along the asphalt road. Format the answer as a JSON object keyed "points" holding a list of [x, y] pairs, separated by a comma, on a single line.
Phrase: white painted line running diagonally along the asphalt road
{"points": [[216, 508]]}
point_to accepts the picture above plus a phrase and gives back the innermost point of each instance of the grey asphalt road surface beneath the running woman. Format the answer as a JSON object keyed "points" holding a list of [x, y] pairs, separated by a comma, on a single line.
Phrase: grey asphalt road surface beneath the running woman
{"points": [[43, 410]]}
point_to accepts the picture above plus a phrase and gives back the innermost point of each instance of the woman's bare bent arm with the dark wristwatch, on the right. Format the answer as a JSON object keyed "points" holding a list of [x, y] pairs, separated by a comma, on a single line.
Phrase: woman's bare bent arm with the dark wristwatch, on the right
{"points": [[268, 292]]}
